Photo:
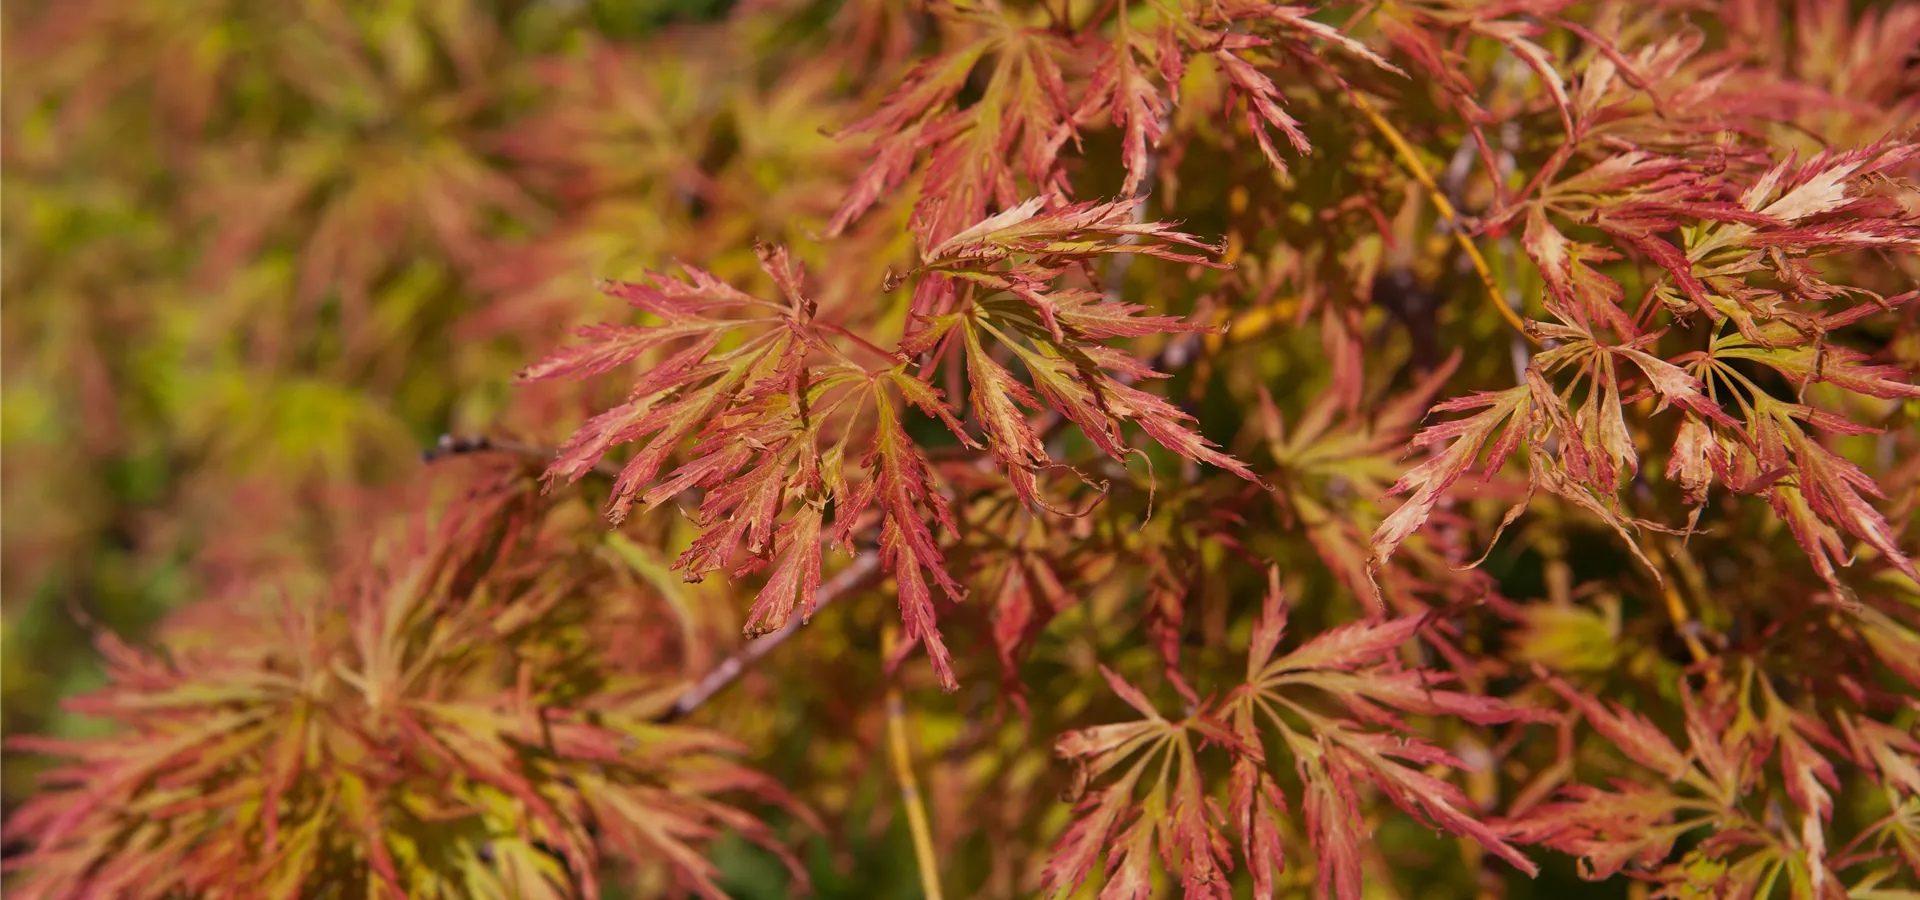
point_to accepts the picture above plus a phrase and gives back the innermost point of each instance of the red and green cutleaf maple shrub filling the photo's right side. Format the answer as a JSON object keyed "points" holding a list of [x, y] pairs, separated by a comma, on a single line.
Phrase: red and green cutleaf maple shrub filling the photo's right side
{"points": [[1103, 448]]}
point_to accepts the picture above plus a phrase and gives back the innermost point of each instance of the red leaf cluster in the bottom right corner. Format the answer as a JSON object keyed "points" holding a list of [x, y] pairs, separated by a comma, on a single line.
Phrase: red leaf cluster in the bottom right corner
{"points": [[1740, 755]]}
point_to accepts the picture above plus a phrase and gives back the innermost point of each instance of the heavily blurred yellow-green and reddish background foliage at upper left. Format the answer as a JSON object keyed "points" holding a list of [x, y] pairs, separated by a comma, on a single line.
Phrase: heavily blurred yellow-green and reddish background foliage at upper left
{"points": [[256, 252]]}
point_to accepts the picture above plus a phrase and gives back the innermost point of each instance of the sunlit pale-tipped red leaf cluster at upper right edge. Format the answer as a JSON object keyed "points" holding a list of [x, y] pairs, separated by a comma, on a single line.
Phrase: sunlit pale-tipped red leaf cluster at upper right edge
{"points": [[1787, 216]]}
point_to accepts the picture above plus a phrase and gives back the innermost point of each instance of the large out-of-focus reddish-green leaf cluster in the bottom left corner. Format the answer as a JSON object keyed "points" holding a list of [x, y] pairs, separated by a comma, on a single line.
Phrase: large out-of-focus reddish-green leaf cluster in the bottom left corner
{"points": [[435, 726]]}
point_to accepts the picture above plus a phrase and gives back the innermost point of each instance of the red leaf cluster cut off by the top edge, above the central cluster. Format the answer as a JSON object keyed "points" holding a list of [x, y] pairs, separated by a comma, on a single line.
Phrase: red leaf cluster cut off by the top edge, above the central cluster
{"points": [[982, 153]]}
